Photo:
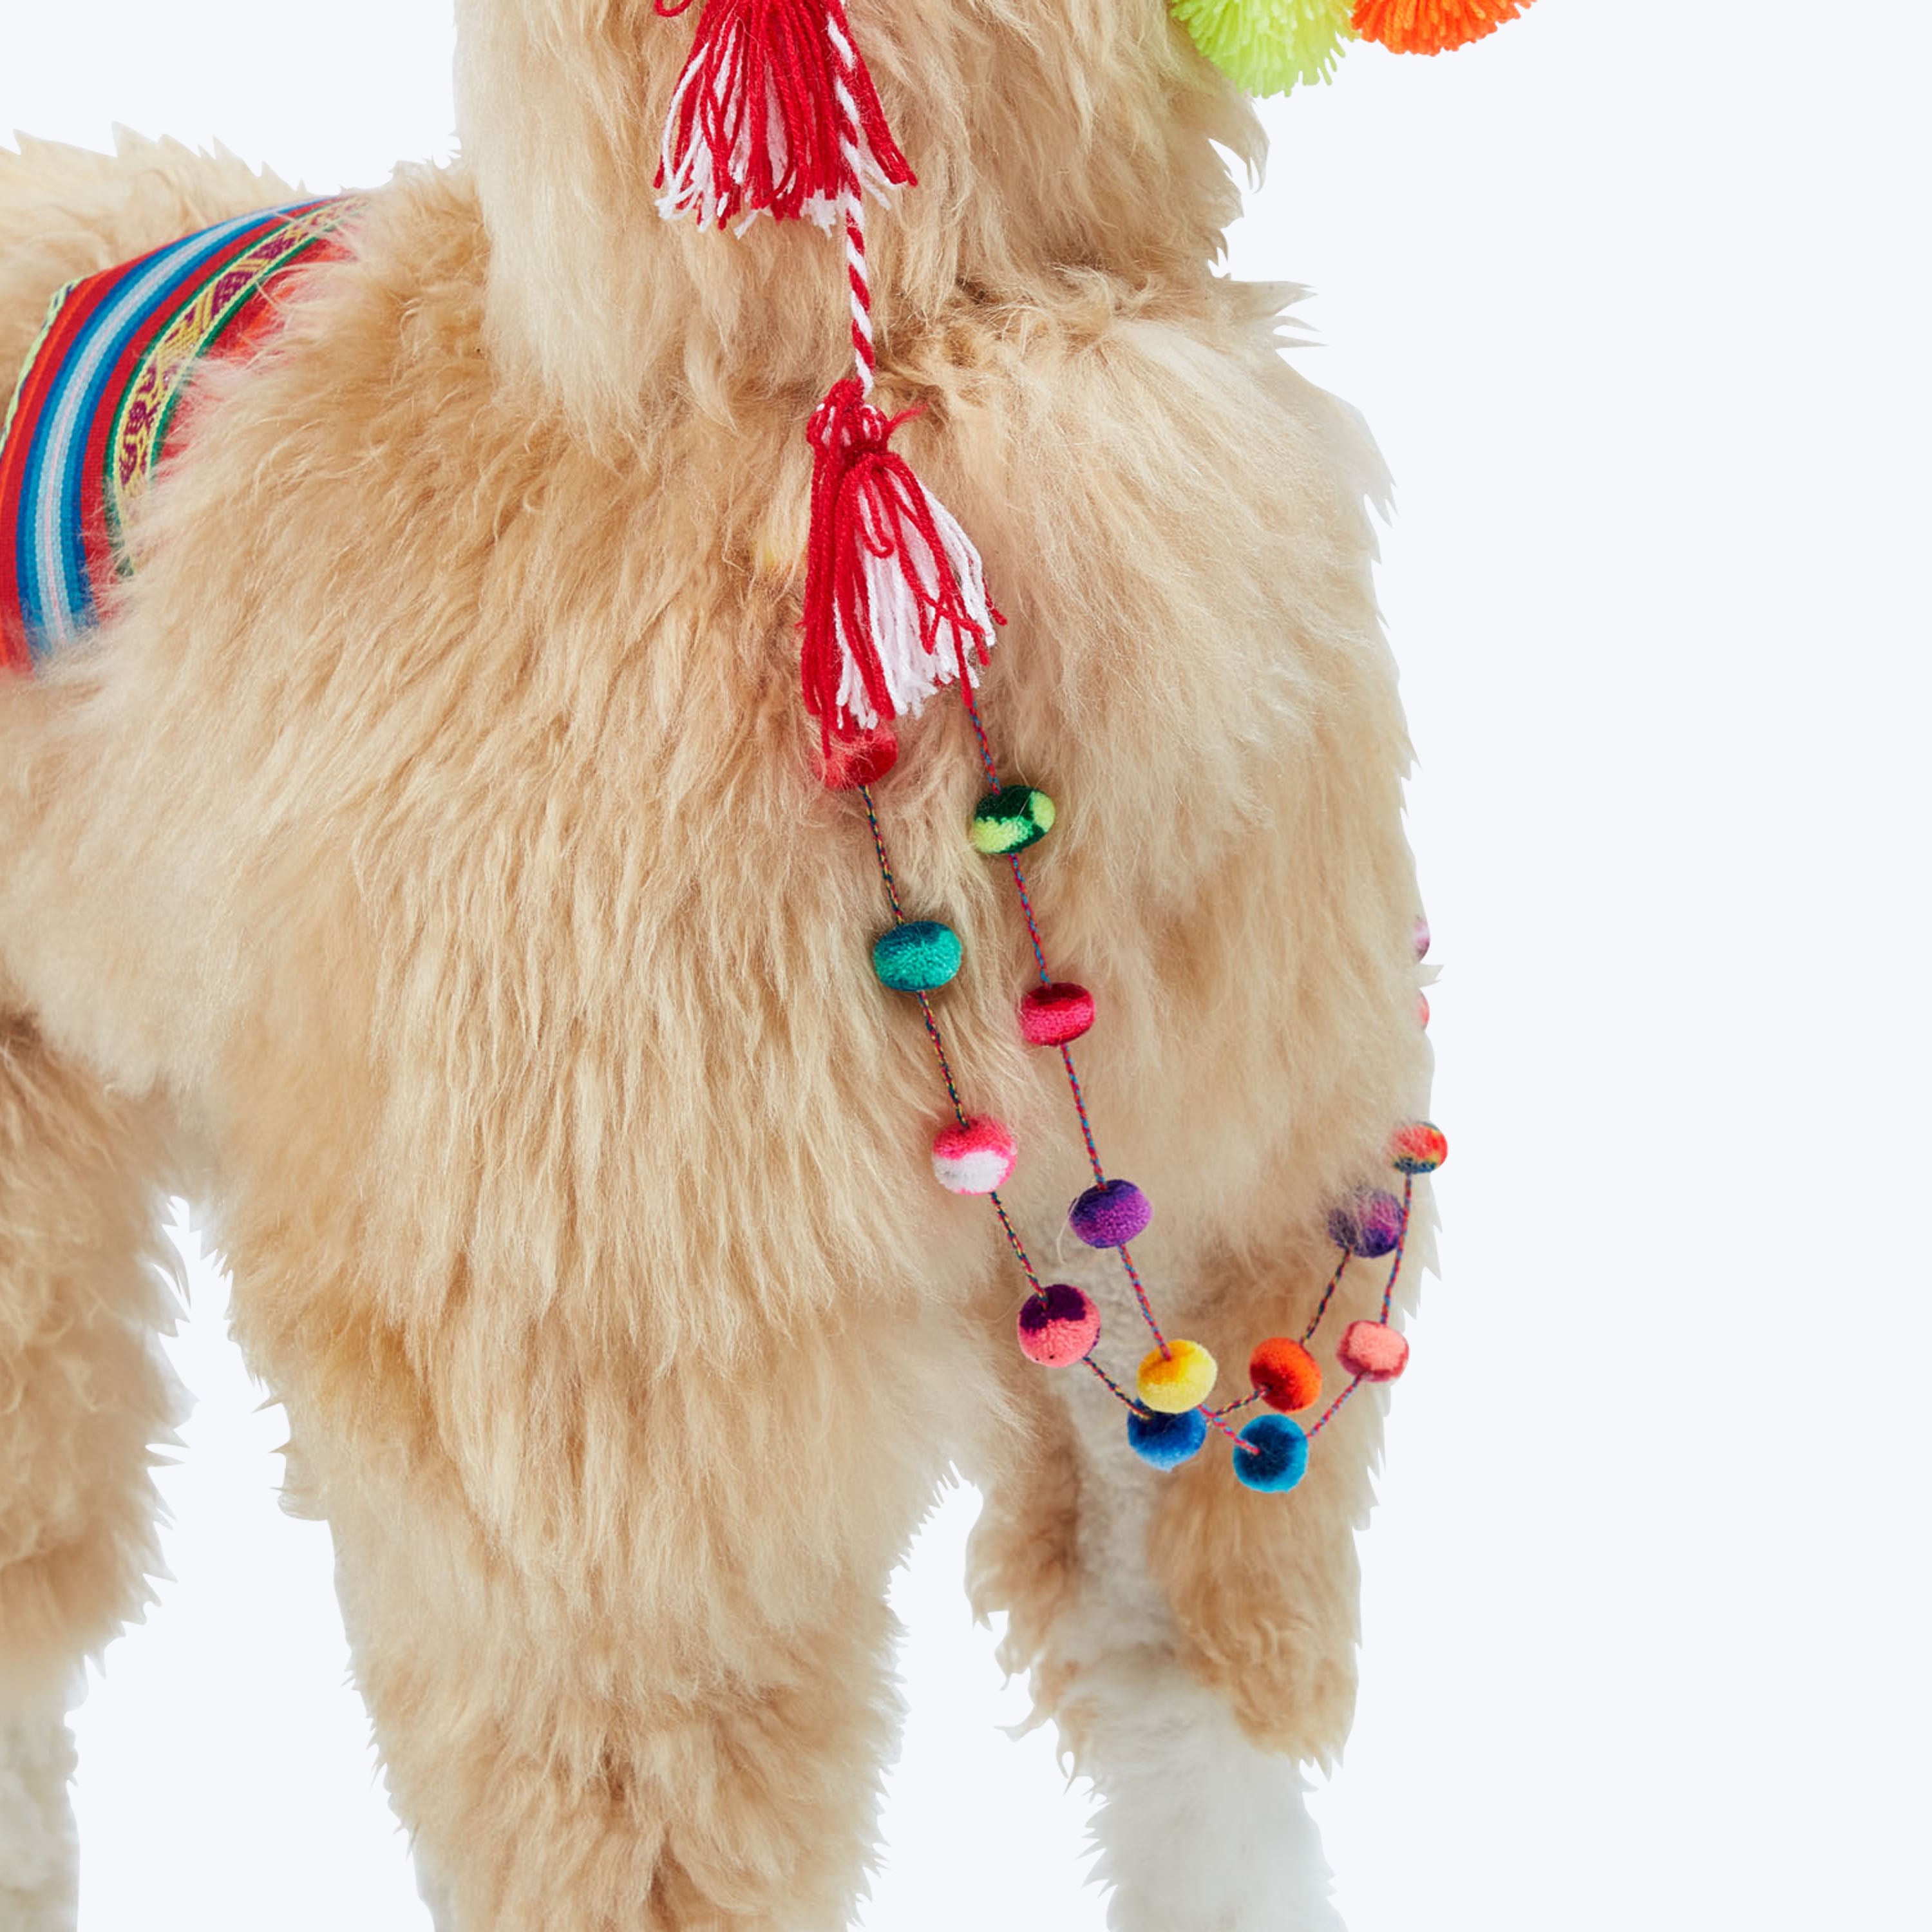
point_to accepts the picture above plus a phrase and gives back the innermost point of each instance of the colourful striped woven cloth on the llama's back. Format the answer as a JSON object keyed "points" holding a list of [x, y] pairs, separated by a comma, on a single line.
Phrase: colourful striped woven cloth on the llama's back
{"points": [[96, 407]]}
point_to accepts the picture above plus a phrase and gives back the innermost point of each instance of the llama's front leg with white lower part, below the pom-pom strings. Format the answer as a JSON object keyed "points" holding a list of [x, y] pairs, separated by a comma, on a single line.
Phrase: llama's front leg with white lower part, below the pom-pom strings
{"points": [[1193, 1641]]}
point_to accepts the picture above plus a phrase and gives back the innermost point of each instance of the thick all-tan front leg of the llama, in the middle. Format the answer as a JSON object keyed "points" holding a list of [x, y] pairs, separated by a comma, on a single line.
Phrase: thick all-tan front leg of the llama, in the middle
{"points": [[621, 1628]]}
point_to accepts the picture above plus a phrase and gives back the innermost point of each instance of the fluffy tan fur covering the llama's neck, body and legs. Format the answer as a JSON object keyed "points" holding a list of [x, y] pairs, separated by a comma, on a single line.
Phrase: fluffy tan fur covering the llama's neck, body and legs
{"points": [[432, 841]]}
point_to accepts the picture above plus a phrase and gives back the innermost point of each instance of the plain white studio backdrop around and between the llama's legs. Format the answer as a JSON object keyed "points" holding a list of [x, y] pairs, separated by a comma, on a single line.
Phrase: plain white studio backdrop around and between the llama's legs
{"points": [[1634, 298]]}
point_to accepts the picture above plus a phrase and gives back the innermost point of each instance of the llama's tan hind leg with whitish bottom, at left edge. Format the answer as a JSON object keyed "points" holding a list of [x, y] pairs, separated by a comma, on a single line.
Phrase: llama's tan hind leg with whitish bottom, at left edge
{"points": [[84, 1398]]}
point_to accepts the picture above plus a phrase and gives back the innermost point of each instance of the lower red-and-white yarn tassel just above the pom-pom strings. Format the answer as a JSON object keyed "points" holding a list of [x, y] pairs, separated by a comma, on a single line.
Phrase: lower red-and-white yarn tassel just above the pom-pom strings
{"points": [[895, 594]]}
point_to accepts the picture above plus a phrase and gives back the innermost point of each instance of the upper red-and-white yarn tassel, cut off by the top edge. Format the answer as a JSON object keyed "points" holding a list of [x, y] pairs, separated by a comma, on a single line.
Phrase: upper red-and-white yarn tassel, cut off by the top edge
{"points": [[756, 117]]}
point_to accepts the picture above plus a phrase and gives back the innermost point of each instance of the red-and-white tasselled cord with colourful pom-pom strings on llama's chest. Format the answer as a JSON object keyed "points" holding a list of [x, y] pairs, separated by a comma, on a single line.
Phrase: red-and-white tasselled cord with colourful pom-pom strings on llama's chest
{"points": [[778, 115]]}
